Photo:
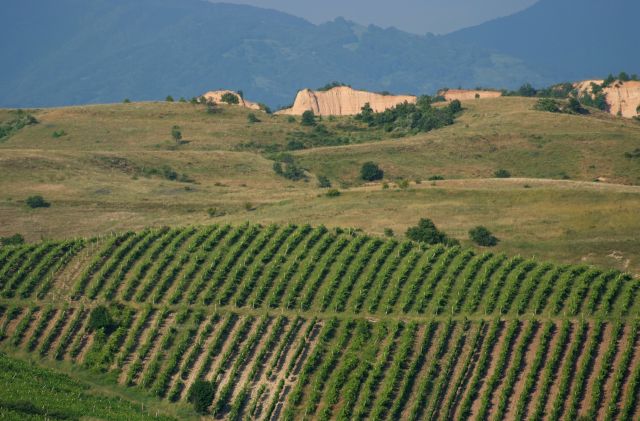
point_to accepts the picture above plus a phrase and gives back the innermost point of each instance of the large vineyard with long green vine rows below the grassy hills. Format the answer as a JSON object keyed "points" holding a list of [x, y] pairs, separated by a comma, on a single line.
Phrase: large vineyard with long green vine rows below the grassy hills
{"points": [[300, 322]]}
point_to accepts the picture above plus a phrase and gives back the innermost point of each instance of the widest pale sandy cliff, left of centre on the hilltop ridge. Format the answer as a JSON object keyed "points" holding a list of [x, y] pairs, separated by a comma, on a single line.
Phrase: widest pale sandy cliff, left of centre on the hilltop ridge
{"points": [[343, 101]]}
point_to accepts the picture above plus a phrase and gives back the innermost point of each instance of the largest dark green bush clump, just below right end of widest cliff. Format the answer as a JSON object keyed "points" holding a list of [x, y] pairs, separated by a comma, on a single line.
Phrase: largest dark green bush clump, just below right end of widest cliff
{"points": [[411, 118]]}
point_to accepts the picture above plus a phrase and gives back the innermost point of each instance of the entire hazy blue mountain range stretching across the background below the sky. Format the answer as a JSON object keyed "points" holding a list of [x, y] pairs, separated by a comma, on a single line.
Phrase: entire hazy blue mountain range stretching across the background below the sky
{"points": [[74, 51]]}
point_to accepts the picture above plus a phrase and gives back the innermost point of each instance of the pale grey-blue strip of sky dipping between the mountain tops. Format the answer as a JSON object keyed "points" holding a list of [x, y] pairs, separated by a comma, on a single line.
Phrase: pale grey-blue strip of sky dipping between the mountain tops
{"points": [[417, 16]]}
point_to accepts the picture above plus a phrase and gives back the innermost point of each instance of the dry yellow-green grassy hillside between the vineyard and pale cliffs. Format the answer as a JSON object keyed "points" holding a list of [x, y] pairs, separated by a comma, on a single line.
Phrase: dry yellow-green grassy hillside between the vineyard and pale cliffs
{"points": [[565, 221]]}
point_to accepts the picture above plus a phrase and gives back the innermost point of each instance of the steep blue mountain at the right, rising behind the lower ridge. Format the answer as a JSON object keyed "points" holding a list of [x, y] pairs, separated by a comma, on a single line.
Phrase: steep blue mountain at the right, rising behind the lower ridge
{"points": [[565, 39]]}
